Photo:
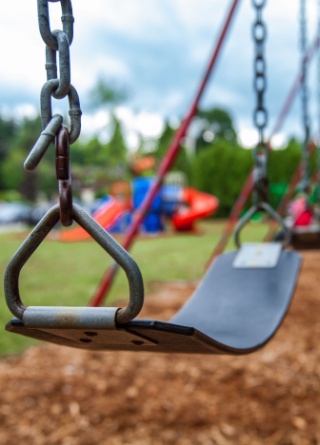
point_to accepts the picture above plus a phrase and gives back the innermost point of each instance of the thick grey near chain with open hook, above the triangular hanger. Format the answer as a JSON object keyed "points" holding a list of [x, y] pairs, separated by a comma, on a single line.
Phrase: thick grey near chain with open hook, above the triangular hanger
{"points": [[57, 42]]}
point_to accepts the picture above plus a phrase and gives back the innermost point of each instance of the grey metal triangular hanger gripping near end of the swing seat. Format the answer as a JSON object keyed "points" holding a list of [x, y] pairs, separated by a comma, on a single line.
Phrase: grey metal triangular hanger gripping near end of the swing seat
{"points": [[72, 317]]}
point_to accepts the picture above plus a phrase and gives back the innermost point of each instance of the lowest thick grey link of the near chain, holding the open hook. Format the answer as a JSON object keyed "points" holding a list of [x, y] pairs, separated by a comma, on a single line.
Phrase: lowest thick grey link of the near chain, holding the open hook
{"points": [[75, 112]]}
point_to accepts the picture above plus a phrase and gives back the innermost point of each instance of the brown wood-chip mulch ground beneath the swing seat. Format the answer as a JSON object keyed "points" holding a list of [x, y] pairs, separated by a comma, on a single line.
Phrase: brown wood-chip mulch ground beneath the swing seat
{"points": [[51, 395]]}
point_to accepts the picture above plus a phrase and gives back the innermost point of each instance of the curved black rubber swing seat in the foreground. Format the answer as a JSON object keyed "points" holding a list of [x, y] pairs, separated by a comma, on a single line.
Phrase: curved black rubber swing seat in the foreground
{"points": [[233, 311]]}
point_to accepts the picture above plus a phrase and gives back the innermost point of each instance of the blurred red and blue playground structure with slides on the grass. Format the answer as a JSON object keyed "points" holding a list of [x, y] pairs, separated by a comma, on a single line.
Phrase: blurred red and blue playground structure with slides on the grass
{"points": [[181, 206]]}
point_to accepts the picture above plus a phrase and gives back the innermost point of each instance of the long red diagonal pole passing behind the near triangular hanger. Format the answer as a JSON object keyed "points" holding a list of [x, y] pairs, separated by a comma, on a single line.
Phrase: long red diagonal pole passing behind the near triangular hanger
{"points": [[166, 163]]}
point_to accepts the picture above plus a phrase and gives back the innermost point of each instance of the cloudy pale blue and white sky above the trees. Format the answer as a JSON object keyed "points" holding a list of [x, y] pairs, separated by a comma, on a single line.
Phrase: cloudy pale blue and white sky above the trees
{"points": [[157, 50]]}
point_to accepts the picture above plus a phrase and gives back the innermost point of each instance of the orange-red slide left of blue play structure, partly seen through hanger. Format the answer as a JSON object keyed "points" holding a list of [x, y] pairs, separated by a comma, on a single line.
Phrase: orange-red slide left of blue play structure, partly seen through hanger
{"points": [[106, 216]]}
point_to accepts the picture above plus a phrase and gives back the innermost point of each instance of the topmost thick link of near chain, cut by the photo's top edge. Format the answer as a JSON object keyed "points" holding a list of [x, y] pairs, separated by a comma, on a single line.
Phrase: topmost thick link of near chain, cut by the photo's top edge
{"points": [[44, 22]]}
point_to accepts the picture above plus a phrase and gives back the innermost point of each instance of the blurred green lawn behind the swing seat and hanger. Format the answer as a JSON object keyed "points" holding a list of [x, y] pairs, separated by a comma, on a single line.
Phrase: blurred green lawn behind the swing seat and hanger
{"points": [[68, 274]]}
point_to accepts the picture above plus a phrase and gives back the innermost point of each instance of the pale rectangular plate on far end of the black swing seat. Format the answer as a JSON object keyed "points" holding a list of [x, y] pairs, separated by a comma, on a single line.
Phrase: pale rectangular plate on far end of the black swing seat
{"points": [[260, 255]]}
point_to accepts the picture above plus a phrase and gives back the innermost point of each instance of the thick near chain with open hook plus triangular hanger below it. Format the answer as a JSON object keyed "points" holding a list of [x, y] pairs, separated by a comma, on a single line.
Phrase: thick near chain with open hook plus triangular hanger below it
{"points": [[66, 211]]}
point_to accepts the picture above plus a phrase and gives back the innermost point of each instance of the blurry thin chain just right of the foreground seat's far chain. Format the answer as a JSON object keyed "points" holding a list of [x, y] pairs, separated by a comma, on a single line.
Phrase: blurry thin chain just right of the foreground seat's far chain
{"points": [[305, 182]]}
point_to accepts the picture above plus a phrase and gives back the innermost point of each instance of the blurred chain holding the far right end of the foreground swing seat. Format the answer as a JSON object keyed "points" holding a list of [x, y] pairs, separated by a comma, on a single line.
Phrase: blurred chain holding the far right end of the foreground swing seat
{"points": [[260, 114]]}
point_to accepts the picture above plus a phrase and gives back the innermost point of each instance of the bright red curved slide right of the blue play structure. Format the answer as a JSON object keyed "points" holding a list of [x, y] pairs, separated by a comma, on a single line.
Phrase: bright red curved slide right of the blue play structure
{"points": [[198, 205]]}
